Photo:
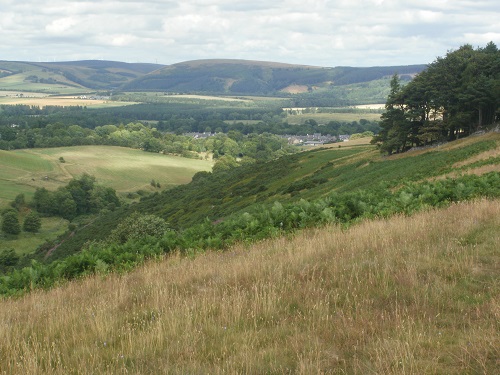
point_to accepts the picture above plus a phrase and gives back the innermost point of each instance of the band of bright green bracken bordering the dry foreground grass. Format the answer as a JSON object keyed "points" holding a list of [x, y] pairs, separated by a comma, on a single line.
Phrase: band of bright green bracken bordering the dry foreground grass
{"points": [[129, 245]]}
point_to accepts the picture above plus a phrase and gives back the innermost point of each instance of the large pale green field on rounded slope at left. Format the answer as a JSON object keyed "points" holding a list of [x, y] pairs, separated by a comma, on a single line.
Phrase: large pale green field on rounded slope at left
{"points": [[125, 170]]}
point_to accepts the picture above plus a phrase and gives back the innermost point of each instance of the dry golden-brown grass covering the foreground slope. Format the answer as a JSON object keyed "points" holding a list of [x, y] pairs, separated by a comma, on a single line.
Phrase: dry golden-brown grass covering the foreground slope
{"points": [[407, 295]]}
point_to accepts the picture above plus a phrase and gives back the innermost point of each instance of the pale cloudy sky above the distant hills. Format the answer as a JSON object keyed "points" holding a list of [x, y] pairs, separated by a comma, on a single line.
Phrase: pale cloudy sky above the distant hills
{"points": [[321, 32]]}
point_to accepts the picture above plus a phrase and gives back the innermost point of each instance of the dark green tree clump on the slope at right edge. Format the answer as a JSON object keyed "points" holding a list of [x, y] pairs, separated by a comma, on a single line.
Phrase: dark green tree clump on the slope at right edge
{"points": [[454, 97]]}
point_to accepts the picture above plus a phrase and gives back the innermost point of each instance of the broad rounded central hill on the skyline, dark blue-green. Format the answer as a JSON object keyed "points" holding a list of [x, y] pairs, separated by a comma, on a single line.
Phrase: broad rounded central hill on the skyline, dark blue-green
{"points": [[257, 77]]}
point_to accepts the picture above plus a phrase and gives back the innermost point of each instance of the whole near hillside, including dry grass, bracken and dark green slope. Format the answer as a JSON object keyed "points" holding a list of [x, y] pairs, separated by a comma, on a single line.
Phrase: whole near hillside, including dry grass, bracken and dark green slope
{"points": [[330, 261]]}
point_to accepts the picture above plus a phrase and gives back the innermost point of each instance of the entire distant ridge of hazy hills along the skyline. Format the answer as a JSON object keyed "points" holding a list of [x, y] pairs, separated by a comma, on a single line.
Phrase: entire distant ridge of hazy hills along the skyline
{"points": [[221, 76]]}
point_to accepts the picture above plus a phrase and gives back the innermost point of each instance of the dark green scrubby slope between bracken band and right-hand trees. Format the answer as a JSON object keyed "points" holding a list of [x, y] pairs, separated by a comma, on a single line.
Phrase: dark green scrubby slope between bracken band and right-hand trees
{"points": [[311, 175]]}
